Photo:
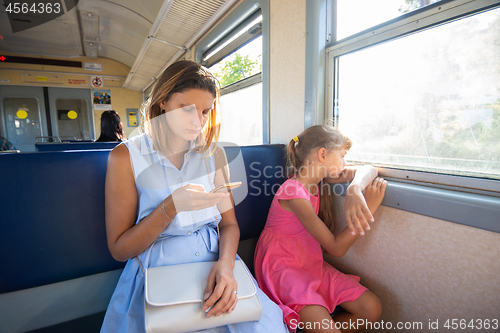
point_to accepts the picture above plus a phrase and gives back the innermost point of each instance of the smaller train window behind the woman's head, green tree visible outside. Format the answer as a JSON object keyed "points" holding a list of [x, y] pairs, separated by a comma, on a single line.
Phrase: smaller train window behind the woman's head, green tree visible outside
{"points": [[233, 51]]}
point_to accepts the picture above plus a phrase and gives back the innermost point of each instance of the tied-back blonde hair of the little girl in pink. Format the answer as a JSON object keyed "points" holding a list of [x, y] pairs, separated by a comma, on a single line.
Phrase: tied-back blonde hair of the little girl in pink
{"points": [[312, 139]]}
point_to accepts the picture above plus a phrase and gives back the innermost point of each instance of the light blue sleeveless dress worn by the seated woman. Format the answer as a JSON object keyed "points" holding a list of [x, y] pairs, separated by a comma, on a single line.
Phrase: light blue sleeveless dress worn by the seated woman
{"points": [[190, 237]]}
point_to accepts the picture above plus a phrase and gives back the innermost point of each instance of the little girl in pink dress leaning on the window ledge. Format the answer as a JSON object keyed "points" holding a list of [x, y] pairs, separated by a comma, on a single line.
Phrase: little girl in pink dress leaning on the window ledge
{"points": [[289, 261]]}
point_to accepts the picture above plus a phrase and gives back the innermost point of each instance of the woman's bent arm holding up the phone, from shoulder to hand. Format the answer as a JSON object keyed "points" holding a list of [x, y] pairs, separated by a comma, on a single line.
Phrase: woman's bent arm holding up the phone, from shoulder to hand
{"points": [[125, 238]]}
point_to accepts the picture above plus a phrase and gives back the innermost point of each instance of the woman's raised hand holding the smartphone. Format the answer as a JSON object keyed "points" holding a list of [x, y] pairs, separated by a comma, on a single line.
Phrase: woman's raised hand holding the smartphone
{"points": [[193, 197]]}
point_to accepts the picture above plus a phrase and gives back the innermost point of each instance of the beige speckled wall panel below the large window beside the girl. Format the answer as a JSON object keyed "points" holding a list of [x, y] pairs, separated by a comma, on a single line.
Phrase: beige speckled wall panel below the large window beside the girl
{"points": [[425, 269]]}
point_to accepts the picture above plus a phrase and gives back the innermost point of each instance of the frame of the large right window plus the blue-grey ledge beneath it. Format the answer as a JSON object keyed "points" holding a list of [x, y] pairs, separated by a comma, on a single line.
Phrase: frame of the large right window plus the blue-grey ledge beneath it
{"points": [[470, 201]]}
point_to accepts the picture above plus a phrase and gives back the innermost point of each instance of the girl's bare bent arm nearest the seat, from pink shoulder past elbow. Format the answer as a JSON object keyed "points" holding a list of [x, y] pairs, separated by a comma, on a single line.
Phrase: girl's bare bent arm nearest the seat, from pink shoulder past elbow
{"points": [[335, 245]]}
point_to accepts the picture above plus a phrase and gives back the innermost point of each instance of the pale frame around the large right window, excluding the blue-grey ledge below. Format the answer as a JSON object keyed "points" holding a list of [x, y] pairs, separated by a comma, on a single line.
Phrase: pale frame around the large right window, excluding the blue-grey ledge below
{"points": [[424, 18]]}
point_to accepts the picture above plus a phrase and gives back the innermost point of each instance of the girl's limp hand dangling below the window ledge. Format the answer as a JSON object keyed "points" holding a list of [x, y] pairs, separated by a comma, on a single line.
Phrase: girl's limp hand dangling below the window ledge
{"points": [[357, 213]]}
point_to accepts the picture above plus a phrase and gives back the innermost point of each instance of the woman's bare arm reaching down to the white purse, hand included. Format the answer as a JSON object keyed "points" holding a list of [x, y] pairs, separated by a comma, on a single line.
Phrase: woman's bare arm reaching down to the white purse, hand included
{"points": [[221, 283]]}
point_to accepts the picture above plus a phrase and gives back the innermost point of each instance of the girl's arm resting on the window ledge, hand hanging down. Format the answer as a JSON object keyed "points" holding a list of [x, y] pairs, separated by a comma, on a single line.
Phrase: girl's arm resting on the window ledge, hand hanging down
{"points": [[356, 211]]}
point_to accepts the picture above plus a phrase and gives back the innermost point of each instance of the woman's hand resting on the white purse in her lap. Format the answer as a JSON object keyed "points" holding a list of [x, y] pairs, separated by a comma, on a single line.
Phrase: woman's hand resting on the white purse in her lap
{"points": [[220, 293]]}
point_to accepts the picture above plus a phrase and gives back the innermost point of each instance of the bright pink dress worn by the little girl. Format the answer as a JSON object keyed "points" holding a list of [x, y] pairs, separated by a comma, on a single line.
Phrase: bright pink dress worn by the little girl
{"points": [[289, 263]]}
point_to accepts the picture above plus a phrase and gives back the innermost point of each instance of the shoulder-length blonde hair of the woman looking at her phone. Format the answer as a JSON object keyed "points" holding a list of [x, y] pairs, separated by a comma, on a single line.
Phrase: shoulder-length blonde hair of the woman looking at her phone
{"points": [[177, 78]]}
